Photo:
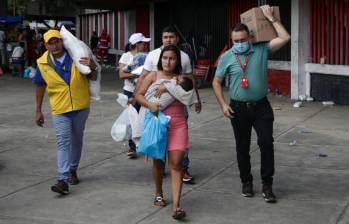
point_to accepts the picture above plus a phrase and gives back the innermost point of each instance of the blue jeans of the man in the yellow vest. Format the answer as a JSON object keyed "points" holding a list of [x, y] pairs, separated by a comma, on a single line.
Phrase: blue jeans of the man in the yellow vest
{"points": [[69, 129]]}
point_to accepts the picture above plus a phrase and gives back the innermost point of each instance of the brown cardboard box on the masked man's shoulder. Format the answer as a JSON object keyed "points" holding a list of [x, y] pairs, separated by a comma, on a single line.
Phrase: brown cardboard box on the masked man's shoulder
{"points": [[261, 29]]}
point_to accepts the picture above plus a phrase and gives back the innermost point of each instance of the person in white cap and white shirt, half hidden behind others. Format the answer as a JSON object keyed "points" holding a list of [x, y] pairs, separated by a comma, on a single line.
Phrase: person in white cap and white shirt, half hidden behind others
{"points": [[138, 44]]}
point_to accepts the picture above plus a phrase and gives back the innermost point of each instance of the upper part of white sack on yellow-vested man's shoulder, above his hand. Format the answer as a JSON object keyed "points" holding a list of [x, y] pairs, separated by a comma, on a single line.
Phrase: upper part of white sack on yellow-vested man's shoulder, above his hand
{"points": [[76, 49]]}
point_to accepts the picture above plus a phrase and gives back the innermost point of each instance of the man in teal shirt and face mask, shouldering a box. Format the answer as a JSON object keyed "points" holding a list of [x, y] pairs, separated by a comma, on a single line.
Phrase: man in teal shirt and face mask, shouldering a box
{"points": [[246, 66]]}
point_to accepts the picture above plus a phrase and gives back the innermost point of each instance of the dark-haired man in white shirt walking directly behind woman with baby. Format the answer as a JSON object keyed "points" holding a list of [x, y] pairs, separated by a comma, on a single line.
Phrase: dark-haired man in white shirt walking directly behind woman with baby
{"points": [[170, 36]]}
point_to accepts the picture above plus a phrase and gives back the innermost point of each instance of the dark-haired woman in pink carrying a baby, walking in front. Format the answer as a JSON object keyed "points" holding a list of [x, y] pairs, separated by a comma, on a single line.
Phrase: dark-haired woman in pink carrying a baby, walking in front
{"points": [[169, 67]]}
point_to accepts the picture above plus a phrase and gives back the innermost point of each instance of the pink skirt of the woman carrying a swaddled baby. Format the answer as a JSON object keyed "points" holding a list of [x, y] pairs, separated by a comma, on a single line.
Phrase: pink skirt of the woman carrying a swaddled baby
{"points": [[177, 134]]}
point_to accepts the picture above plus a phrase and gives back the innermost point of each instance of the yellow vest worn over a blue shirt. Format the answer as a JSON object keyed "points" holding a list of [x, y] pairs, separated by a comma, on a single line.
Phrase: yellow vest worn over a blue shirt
{"points": [[63, 97]]}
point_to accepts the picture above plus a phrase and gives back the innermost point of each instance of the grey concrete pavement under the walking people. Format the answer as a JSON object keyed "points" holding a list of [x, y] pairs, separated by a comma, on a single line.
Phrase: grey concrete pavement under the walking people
{"points": [[114, 189]]}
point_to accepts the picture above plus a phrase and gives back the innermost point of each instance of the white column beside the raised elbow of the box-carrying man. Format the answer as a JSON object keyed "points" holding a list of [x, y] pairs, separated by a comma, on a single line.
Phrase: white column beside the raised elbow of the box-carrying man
{"points": [[300, 20]]}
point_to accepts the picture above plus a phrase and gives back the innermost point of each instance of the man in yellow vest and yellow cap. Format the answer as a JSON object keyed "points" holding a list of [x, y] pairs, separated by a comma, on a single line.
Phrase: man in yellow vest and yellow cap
{"points": [[69, 97]]}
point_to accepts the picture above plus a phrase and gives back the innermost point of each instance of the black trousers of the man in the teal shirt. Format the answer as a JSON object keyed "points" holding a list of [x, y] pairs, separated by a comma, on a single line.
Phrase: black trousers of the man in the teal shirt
{"points": [[260, 116]]}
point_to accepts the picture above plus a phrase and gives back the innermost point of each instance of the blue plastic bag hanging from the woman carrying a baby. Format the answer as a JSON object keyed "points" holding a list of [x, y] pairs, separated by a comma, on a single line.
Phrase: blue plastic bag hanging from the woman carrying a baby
{"points": [[153, 141]]}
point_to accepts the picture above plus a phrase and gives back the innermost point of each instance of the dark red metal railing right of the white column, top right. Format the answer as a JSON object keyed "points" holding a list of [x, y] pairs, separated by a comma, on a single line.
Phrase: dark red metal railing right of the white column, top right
{"points": [[329, 32]]}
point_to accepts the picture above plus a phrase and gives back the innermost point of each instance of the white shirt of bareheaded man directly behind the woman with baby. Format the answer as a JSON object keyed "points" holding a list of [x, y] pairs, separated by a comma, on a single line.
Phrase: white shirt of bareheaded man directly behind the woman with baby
{"points": [[151, 62]]}
